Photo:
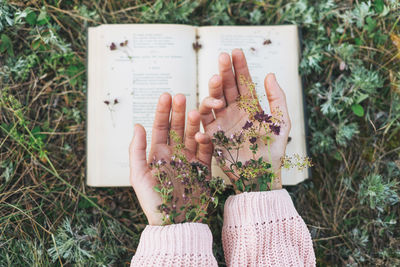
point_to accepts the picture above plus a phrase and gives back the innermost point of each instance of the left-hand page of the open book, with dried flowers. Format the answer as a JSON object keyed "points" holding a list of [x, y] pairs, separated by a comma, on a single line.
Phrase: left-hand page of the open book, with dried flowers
{"points": [[130, 66]]}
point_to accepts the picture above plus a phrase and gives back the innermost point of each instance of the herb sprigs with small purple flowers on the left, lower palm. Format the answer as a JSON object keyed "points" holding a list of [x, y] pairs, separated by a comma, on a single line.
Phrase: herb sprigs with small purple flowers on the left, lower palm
{"points": [[186, 187]]}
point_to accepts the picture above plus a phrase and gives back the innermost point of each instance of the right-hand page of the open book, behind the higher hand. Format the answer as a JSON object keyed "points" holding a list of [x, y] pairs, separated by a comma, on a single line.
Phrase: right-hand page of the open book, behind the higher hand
{"points": [[267, 49]]}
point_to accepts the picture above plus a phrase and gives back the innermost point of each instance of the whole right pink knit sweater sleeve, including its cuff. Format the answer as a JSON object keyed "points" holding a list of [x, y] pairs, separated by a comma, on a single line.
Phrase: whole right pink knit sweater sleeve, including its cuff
{"points": [[264, 229]]}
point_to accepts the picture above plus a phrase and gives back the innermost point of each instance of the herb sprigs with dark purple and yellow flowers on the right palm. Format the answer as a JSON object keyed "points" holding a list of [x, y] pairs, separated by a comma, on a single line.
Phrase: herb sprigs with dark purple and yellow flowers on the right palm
{"points": [[255, 173]]}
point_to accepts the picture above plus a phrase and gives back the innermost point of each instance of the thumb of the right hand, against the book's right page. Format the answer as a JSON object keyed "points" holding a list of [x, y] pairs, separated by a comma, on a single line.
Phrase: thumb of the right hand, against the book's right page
{"points": [[277, 101]]}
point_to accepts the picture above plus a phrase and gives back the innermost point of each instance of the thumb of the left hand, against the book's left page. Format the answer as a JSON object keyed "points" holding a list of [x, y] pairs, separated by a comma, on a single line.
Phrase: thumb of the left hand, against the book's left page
{"points": [[137, 152]]}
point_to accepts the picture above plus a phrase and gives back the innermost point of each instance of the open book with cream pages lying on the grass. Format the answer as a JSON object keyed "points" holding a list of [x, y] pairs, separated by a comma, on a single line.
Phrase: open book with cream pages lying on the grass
{"points": [[131, 65]]}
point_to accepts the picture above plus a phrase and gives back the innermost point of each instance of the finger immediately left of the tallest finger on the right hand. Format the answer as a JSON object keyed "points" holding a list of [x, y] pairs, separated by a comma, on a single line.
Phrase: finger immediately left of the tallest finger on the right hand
{"points": [[228, 79]]}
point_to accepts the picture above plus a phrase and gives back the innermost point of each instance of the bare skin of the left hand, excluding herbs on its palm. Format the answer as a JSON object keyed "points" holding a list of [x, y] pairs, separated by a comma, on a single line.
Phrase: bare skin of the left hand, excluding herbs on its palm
{"points": [[198, 147]]}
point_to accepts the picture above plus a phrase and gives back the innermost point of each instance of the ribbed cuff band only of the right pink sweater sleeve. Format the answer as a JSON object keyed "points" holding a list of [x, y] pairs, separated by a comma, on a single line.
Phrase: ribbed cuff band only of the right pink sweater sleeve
{"points": [[258, 207]]}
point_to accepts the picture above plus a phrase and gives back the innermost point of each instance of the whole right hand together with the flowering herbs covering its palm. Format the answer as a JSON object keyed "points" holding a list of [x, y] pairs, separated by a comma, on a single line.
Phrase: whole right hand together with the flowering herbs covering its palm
{"points": [[249, 144]]}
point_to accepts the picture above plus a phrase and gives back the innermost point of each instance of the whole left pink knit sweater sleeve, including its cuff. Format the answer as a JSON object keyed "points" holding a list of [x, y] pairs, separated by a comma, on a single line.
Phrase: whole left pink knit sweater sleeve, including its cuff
{"points": [[185, 244]]}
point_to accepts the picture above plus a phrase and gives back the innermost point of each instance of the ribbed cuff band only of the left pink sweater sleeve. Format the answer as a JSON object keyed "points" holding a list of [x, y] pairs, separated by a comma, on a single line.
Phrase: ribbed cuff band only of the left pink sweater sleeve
{"points": [[175, 239]]}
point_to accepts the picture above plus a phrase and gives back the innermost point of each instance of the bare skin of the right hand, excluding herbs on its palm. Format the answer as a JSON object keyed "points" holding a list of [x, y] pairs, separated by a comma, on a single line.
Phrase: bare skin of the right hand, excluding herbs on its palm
{"points": [[224, 90]]}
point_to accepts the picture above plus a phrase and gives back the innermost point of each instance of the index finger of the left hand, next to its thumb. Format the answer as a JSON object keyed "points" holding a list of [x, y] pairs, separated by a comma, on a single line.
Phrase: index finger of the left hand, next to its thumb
{"points": [[161, 120]]}
